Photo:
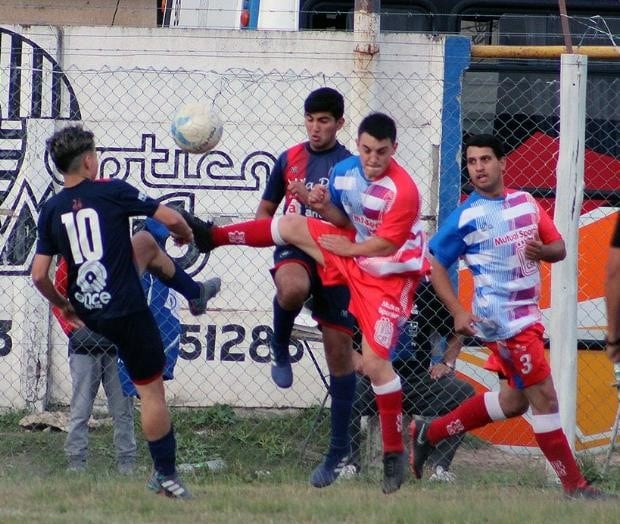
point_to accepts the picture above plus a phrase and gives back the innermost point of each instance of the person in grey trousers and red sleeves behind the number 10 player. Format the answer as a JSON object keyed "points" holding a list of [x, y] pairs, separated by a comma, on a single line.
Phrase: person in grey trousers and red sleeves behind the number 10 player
{"points": [[92, 361]]}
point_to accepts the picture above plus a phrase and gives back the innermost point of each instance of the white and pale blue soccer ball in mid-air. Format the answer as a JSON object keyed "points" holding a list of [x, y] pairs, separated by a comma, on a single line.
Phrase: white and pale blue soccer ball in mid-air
{"points": [[196, 128]]}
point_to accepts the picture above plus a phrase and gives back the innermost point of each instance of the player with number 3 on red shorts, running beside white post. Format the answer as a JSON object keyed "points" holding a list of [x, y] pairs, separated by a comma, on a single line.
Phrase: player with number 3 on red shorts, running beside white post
{"points": [[502, 235]]}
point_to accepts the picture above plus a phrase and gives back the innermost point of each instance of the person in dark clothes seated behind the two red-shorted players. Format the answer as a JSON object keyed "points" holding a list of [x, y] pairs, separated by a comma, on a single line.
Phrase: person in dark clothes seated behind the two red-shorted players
{"points": [[430, 387]]}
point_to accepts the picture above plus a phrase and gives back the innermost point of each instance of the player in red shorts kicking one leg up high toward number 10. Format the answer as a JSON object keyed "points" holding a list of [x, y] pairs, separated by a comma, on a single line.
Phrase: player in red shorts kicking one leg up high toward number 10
{"points": [[373, 243]]}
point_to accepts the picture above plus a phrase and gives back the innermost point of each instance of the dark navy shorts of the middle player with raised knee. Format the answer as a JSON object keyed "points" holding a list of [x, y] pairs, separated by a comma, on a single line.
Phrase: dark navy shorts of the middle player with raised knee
{"points": [[329, 304]]}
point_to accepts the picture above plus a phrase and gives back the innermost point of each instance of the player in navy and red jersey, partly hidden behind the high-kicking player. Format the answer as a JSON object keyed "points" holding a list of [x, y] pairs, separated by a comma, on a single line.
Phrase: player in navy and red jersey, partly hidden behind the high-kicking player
{"points": [[295, 275]]}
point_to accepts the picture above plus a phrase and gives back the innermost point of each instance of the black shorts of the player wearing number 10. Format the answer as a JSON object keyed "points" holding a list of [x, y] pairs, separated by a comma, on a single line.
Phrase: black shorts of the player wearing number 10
{"points": [[139, 343]]}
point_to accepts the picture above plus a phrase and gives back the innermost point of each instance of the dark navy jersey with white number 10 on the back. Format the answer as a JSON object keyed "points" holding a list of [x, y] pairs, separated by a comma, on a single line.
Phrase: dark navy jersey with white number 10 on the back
{"points": [[88, 225]]}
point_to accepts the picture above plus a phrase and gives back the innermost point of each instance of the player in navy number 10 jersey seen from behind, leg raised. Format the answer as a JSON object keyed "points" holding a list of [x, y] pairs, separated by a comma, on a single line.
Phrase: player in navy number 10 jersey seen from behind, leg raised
{"points": [[88, 224]]}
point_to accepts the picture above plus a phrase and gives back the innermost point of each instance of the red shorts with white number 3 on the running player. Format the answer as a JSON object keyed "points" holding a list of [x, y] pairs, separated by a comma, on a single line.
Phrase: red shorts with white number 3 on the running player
{"points": [[521, 359]]}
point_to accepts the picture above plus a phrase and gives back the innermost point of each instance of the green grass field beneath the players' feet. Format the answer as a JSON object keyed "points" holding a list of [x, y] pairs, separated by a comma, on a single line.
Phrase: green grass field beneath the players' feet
{"points": [[266, 481]]}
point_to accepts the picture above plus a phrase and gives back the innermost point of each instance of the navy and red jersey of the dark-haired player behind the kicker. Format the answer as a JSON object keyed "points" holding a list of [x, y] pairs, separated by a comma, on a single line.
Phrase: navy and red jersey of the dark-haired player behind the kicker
{"points": [[300, 162]]}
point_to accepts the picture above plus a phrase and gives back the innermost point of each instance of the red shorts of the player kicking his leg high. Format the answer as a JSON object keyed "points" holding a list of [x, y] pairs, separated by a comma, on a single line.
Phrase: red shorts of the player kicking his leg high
{"points": [[381, 305]]}
